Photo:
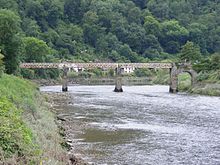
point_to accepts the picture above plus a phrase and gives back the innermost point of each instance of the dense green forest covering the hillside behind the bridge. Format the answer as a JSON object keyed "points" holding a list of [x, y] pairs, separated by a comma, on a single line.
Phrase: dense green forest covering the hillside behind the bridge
{"points": [[109, 31]]}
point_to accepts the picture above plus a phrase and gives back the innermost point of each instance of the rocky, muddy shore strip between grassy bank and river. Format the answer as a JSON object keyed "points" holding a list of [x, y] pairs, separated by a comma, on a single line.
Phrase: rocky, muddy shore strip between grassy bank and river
{"points": [[58, 104]]}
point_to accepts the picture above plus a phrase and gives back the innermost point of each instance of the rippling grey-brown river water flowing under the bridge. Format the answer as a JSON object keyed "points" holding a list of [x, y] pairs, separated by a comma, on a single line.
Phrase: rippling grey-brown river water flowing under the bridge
{"points": [[144, 125]]}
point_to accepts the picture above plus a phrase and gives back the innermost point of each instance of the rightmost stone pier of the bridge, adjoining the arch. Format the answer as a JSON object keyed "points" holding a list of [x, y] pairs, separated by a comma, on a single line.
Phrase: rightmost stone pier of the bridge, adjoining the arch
{"points": [[174, 79]]}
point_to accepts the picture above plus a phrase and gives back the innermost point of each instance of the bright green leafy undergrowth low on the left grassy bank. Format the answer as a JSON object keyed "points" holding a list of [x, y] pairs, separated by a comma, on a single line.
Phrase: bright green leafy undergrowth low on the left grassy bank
{"points": [[16, 138]]}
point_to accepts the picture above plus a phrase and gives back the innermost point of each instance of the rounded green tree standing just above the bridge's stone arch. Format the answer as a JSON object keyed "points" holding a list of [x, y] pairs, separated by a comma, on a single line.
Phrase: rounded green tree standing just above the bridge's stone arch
{"points": [[190, 52]]}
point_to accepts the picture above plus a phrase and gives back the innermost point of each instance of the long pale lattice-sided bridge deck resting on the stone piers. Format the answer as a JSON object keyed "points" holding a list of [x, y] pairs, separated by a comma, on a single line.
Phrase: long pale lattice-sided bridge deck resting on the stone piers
{"points": [[96, 65]]}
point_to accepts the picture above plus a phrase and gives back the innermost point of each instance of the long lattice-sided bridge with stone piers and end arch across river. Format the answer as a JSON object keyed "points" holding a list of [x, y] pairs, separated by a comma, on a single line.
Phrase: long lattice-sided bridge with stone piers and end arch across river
{"points": [[175, 70]]}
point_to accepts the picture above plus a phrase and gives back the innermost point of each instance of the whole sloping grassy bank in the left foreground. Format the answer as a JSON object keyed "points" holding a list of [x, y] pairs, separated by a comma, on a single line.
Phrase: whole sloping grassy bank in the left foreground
{"points": [[28, 132]]}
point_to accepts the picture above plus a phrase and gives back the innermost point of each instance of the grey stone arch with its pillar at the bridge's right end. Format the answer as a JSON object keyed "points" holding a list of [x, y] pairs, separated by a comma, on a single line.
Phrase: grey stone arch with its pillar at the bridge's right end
{"points": [[175, 72]]}
